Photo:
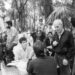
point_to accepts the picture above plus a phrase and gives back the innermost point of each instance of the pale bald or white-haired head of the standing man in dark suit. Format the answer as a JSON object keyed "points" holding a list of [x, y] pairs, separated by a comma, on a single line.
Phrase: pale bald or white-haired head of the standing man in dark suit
{"points": [[58, 25]]}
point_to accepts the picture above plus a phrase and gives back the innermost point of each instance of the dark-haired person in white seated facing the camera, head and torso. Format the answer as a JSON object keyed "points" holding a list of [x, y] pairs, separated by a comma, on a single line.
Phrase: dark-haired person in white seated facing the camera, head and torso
{"points": [[22, 51]]}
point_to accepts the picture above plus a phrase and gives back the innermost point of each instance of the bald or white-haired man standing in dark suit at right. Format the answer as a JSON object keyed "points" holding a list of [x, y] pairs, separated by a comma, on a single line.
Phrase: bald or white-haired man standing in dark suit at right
{"points": [[63, 47]]}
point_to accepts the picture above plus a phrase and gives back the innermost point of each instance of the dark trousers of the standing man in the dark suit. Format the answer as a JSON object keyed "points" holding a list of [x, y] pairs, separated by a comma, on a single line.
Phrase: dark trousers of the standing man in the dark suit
{"points": [[64, 70]]}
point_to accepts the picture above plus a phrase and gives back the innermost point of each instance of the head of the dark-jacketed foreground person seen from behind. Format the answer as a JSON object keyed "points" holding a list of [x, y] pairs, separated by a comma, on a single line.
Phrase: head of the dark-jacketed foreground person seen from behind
{"points": [[39, 48]]}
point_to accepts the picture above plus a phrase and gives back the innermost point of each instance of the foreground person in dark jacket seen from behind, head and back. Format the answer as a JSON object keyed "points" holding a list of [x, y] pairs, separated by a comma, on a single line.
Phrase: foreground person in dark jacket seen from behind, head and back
{"points": [[42, 65]]}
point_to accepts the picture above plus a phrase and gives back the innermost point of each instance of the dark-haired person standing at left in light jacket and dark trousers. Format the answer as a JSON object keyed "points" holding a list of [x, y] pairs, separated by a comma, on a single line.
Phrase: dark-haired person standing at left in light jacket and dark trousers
{"points": [[12, 38]]}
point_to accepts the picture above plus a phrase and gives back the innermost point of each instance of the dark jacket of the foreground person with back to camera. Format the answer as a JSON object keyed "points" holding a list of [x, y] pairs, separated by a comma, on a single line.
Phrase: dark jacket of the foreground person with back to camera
{"points": [[42, 66]]}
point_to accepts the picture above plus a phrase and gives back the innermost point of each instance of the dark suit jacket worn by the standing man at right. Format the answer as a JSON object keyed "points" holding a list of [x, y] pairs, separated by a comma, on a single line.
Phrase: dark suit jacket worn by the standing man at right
{"points": [[65, 45]]}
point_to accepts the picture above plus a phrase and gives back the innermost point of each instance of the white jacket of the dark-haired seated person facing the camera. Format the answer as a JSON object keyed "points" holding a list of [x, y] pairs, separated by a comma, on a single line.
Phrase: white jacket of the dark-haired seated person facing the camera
{"points": [[21, 54]]}
